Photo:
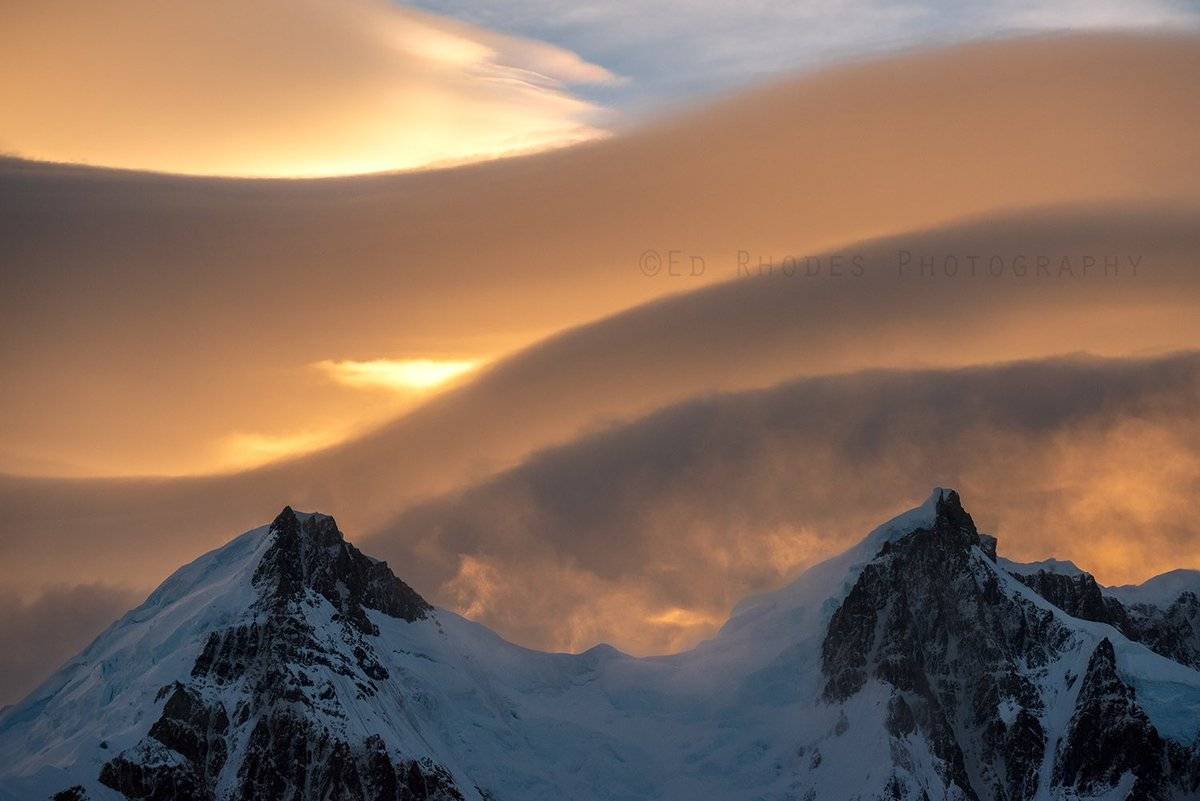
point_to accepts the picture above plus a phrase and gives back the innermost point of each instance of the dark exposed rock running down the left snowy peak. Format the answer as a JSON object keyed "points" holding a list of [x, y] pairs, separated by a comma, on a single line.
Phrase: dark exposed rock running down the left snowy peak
{"points": [[275, 665]]}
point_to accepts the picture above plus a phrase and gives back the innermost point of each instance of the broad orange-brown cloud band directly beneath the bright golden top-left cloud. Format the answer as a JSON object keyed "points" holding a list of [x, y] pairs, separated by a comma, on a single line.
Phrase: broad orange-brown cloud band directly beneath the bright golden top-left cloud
{"points": [[221, 294]]}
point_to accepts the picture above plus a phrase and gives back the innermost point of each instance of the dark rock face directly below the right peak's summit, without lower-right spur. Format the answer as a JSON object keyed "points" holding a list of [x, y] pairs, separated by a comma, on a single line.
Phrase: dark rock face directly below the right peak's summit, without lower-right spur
{"points": [[928, 618]]}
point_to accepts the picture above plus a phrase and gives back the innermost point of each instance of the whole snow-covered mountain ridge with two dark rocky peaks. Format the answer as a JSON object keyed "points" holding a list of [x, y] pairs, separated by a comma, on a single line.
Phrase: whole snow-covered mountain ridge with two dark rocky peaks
{"points": [[919, 665]]}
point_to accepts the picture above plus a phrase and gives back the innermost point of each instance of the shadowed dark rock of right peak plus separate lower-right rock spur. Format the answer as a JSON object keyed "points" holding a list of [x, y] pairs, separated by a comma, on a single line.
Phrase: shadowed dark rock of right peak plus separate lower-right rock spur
{"points": [[932, 621]]}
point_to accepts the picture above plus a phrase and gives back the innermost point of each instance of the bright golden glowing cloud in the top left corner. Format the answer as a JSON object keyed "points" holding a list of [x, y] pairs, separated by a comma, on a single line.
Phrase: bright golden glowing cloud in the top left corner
{"points": [[278, 87]]}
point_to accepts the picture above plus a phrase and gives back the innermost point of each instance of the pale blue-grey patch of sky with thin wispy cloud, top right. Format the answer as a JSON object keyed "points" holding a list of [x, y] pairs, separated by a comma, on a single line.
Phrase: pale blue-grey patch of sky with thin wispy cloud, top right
{"points": [[693, 47]]}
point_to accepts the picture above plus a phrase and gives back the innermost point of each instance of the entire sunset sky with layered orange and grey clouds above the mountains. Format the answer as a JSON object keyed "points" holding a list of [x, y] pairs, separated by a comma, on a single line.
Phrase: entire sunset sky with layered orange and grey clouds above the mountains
{"points": [[697, 332]]}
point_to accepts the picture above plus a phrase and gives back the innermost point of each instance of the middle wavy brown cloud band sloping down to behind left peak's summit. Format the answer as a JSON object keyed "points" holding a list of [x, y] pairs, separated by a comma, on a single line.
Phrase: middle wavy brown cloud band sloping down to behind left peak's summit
{"points": [[746, 334]]}
